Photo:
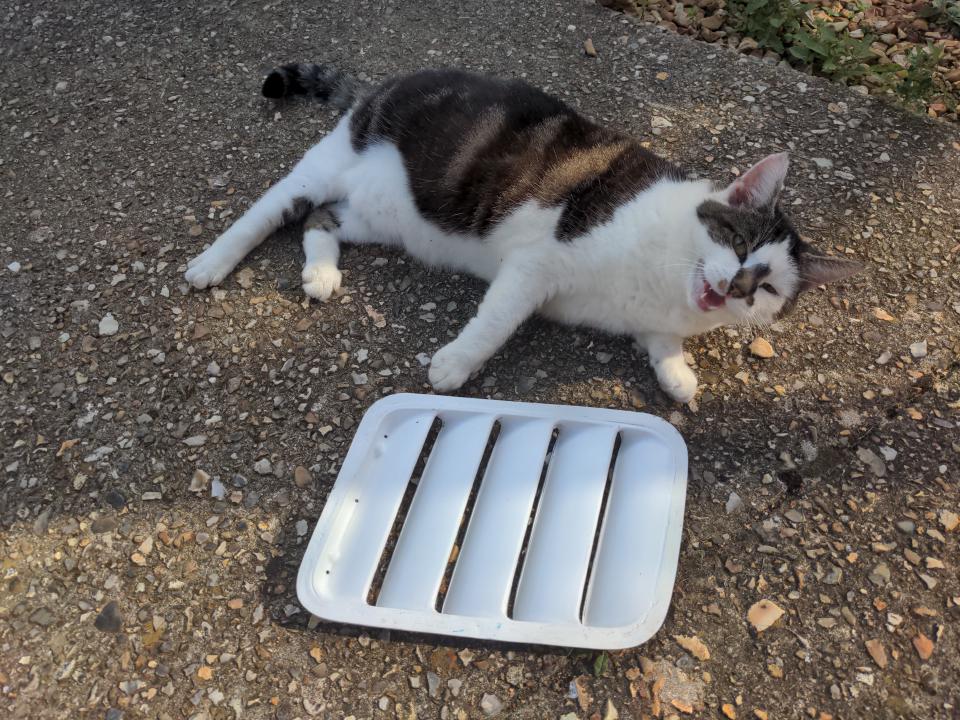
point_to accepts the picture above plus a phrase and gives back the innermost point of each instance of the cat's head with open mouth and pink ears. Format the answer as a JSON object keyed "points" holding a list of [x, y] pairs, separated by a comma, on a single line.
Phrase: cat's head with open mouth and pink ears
{"points": [[752, 264]]}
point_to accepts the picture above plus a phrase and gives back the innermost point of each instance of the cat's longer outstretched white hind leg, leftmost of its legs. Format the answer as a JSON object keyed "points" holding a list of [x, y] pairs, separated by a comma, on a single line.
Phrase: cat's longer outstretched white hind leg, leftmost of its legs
{"points": [[312, 182]]}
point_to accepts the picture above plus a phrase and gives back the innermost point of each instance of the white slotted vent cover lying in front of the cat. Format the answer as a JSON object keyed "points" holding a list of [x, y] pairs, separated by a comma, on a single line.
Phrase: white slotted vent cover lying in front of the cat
{"points": [[510, 521]]}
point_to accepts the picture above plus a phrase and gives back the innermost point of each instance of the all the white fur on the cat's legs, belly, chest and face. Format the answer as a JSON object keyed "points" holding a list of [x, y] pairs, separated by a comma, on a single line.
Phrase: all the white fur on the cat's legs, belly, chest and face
{"points": [[636, 274]]}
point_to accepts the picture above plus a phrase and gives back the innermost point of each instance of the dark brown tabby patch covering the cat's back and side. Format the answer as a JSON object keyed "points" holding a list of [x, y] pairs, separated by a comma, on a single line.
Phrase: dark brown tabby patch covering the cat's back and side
{"points": [[475, 148]]}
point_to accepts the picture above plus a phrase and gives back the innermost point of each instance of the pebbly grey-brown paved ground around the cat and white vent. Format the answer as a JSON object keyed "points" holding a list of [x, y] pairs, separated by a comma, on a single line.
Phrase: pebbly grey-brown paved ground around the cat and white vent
{"points": [[150, 494]]}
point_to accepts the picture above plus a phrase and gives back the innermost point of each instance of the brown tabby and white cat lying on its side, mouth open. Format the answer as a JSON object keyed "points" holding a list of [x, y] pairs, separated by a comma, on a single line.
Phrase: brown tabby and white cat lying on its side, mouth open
{"points": [[562, 216]]}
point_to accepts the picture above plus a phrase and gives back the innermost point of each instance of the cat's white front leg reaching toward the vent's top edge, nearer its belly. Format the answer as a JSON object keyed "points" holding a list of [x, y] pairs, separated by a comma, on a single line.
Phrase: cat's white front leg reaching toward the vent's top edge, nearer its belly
{"points": [[515, 294]]}
